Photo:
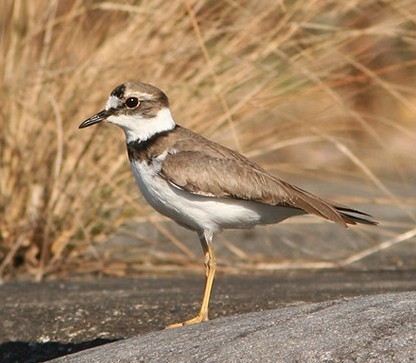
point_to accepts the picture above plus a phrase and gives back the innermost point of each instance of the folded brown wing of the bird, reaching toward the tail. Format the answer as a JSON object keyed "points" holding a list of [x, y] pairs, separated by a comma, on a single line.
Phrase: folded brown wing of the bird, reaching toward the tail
{"points": [[237, 177]]}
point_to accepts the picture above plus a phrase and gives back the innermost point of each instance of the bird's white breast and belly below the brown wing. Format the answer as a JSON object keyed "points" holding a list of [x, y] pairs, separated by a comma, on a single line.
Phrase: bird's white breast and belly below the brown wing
{"points": [[201, 213]]}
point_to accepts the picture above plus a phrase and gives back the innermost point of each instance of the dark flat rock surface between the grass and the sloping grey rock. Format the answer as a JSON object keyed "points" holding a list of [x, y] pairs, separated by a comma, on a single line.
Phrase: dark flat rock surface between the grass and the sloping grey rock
{"points": [[41, 321]]}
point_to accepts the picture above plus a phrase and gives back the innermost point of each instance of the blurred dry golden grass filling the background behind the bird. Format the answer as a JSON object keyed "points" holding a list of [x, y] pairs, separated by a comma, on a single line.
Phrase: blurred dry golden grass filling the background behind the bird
{"points": [[308, 88]]}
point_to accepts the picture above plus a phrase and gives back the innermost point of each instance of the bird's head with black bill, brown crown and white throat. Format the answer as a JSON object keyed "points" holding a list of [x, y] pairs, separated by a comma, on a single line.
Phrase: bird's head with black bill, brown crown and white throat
{"points": [[140, 109]]}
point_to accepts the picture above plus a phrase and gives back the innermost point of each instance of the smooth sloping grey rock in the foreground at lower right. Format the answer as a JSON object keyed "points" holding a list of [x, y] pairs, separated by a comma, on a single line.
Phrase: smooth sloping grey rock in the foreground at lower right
{"points": [[379, 328]]}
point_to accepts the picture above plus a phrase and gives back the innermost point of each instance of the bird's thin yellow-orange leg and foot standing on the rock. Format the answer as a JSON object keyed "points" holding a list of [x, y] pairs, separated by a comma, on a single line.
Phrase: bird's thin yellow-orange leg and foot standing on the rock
{"points": [[210, 265]]}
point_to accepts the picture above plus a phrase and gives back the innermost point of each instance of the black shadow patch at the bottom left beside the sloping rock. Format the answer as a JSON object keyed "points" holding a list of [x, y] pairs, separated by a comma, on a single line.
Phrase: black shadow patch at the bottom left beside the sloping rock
{"points": [[33, 352]]}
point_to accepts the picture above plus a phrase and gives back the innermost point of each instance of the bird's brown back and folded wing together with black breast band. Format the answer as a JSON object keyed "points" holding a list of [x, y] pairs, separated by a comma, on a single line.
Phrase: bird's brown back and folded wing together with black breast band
{"points": [[202, 167]]}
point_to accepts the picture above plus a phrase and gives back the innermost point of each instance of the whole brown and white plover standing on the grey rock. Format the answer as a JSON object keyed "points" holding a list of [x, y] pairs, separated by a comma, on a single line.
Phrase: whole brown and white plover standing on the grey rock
{"points": [[200, 184]]}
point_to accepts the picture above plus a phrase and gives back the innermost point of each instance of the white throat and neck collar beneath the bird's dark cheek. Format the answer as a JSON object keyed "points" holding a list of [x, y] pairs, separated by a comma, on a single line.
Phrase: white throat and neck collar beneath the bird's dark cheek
{"points": [[137, 127]]}
